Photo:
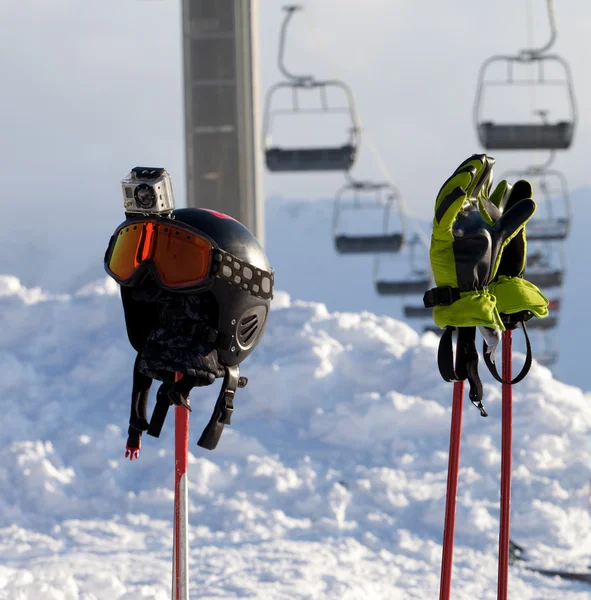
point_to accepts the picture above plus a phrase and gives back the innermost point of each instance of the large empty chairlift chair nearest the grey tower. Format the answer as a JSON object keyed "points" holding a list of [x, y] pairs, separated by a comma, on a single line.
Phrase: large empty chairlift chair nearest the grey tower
{"points": [[305, 159]]}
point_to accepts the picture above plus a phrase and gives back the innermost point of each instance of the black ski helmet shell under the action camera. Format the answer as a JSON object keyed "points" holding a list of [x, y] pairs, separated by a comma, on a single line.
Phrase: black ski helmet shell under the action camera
{"points": [[241, 284]]}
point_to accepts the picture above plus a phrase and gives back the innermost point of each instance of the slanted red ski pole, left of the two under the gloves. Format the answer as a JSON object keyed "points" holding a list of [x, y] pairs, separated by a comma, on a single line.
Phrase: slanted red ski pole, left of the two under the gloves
{"points": [[452, 490]]}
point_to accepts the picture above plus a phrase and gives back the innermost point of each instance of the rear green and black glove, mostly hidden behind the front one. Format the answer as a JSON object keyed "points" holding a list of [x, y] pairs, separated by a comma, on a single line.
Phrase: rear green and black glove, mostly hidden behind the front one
{"points": [[517, 298]]}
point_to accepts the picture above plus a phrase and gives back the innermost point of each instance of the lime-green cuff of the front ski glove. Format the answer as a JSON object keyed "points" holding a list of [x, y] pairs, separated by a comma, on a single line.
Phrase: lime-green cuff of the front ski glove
{"points": [[476, 308]]}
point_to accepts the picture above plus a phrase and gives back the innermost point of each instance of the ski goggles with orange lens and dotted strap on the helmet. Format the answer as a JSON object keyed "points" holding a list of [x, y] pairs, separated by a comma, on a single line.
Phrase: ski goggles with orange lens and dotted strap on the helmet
{"points": [[179, 258]]}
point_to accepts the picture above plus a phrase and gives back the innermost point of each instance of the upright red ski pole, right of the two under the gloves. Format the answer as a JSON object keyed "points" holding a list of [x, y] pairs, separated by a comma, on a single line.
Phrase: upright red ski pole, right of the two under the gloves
{"points": [[507, 439]]}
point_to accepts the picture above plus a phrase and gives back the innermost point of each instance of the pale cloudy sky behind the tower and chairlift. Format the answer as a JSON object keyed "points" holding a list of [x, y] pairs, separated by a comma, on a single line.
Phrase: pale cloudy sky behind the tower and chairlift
{"points": [[92, 89]]}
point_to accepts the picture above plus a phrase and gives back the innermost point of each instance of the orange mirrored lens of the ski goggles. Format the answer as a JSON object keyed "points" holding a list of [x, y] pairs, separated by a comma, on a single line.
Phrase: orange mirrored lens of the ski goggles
{"points": [[180, 257]]}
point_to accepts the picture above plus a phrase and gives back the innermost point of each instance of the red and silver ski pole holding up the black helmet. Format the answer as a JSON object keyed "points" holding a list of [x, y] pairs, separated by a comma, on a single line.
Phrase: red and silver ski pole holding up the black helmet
{"points": [[180, 575]]}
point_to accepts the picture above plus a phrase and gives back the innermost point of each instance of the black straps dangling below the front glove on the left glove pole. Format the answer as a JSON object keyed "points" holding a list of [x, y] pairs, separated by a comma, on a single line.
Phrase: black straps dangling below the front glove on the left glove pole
{"points": [[466, 363]]}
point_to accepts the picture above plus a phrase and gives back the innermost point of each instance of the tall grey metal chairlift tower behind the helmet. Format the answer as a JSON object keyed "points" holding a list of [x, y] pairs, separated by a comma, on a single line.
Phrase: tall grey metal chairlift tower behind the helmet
{"points": [[222, 139]]}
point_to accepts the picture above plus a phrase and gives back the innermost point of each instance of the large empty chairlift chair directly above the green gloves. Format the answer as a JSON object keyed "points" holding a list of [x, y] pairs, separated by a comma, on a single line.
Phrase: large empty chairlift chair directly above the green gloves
{"points": [[527, 136]]}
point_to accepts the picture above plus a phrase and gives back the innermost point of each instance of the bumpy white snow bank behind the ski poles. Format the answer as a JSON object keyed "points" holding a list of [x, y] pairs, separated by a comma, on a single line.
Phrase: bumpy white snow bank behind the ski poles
{"points": [[329, 484]]}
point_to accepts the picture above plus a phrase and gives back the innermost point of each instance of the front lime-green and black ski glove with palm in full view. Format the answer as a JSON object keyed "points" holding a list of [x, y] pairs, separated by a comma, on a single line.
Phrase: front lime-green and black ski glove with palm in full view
{"points": [[466, 247]]}
